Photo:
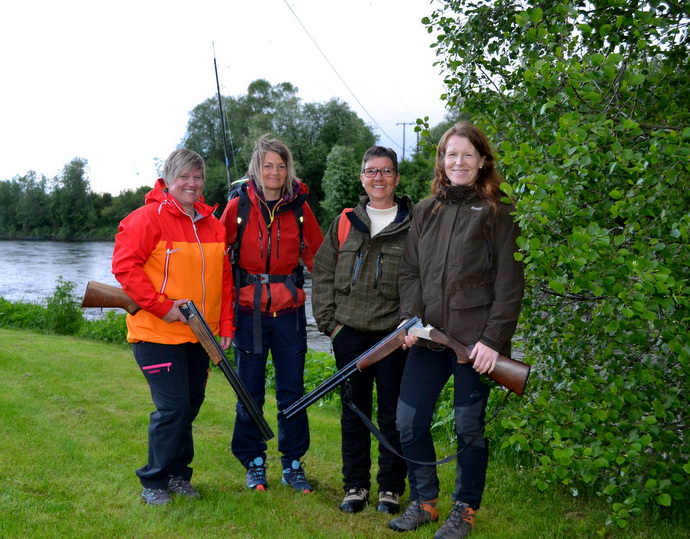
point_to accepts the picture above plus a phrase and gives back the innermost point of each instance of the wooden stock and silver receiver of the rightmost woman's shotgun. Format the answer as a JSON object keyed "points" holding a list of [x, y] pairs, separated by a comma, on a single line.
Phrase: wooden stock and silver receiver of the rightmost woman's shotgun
{"points": [[510, 373]]}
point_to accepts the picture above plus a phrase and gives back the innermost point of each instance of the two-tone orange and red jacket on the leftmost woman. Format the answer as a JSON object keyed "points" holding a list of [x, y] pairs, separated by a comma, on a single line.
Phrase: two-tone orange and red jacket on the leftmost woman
{"points": [[161, 254]]}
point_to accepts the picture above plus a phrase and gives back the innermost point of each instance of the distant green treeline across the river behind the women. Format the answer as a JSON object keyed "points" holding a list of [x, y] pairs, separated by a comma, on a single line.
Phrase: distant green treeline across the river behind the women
{"points": [[327, 140]]}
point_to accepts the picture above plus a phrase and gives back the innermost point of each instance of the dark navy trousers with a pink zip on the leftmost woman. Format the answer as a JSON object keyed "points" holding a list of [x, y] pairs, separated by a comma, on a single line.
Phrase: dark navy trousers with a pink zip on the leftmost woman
{"points": [[177, 375]]}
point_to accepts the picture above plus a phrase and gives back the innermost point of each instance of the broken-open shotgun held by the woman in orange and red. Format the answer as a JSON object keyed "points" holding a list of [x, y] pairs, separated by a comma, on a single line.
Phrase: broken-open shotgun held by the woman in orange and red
{"points": [[105, 295]]}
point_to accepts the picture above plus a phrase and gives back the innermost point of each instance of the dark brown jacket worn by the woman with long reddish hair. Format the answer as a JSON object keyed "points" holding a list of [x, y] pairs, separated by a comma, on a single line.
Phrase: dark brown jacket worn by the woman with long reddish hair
{"points": [[458, 271]]}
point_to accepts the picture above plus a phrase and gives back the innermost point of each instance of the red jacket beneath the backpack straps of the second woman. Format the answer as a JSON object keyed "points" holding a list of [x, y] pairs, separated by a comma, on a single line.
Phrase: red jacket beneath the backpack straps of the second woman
{"points": [[271, 245]]}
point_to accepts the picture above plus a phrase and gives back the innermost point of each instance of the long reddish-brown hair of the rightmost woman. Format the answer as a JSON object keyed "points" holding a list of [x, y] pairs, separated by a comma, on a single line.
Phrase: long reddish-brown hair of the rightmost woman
{"points": [[488, 180]]}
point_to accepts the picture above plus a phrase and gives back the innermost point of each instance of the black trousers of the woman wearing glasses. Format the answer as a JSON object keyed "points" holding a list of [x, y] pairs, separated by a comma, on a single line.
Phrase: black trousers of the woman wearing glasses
{"points": [[356, 438]]}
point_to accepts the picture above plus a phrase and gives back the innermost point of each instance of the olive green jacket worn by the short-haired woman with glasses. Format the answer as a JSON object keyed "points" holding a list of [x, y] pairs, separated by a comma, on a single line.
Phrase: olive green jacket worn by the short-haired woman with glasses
{"points": [[356, 284]]}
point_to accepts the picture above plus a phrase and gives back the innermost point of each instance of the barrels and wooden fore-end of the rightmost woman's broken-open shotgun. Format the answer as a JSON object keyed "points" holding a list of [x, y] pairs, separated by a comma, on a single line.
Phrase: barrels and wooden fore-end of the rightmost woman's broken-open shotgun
{"points": [[376, 353]]}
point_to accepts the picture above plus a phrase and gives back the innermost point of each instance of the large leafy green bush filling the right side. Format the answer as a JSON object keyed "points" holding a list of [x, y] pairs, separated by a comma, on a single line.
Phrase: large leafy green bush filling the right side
{"points": [[587, 103]]}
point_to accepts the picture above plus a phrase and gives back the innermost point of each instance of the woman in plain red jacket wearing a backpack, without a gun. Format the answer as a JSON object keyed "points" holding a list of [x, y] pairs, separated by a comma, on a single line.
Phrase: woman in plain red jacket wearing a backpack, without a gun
{"points": [[277, 231]]}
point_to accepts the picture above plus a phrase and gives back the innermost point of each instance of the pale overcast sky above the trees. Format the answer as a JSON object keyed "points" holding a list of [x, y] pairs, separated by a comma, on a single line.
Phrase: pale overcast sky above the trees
{"points": [[114, 82]]}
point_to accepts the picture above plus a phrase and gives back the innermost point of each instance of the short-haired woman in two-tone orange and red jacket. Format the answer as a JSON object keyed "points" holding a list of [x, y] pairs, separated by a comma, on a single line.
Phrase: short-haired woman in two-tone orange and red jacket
{"points": [[168, 252]]}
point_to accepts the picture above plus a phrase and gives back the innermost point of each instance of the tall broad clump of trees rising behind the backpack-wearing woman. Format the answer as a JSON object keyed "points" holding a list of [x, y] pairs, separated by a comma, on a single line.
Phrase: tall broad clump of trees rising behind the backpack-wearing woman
{"points": [[311, 130]]}
